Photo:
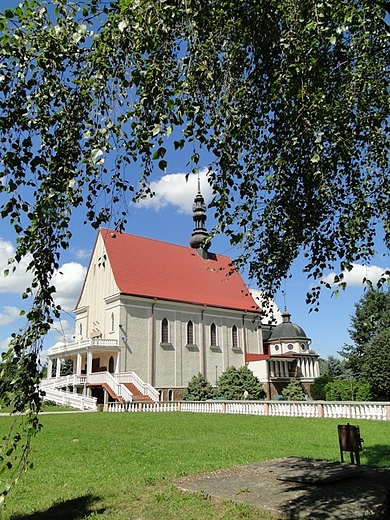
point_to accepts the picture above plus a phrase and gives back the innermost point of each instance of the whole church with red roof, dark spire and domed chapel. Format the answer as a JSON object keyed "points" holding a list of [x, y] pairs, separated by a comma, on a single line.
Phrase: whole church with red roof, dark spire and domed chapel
{"points": [[151, 315]]}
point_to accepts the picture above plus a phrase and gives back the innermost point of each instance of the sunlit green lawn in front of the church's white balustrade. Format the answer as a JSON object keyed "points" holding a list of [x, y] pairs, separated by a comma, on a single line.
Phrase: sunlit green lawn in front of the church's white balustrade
{"points": [[112, 466]]}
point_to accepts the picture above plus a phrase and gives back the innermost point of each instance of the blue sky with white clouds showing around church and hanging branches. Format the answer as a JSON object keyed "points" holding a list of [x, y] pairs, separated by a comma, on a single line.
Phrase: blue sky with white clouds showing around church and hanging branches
{"points": [[168, 217]]}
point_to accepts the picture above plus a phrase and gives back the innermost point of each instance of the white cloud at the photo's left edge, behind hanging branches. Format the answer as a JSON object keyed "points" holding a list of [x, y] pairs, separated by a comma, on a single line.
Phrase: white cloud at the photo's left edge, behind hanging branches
{"points": [[18, 280]]}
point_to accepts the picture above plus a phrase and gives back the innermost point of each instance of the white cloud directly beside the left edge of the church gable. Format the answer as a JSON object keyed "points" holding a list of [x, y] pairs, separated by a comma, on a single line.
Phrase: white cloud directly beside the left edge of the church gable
{"points": [[68, 281]]}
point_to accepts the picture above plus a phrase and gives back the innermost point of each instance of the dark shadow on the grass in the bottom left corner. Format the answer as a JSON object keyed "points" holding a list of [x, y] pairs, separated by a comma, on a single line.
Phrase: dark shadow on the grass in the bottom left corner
{"points": [[73, 509]]}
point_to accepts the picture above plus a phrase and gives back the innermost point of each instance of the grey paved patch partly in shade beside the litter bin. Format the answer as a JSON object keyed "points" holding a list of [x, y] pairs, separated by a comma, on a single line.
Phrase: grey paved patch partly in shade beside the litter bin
{"points": [[298, 488]]}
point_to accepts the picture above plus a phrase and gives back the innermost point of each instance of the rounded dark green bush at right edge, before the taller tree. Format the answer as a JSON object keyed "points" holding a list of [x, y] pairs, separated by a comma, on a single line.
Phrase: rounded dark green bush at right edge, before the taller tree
{"points": [[376, 365]]}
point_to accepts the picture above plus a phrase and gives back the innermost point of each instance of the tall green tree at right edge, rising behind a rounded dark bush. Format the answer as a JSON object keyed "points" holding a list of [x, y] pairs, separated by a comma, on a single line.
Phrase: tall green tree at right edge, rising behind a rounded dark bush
{"points": [[372, 315]]}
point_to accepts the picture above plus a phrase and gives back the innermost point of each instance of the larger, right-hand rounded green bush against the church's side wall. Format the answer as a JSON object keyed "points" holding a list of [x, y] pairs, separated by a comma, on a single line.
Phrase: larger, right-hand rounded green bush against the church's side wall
{"points": [[234, 381]]}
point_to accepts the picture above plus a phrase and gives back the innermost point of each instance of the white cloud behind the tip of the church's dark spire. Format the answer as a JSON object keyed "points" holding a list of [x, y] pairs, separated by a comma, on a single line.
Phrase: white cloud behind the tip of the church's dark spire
{"points": [[175, 189]]}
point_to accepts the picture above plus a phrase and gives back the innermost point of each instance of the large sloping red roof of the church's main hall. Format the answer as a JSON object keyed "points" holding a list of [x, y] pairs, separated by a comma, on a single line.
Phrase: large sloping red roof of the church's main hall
{"points": [[155, 269]]}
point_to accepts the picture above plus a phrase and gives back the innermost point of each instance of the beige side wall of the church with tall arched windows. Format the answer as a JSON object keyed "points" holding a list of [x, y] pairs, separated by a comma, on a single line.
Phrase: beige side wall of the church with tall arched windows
{"points": [[176, 362]]}
